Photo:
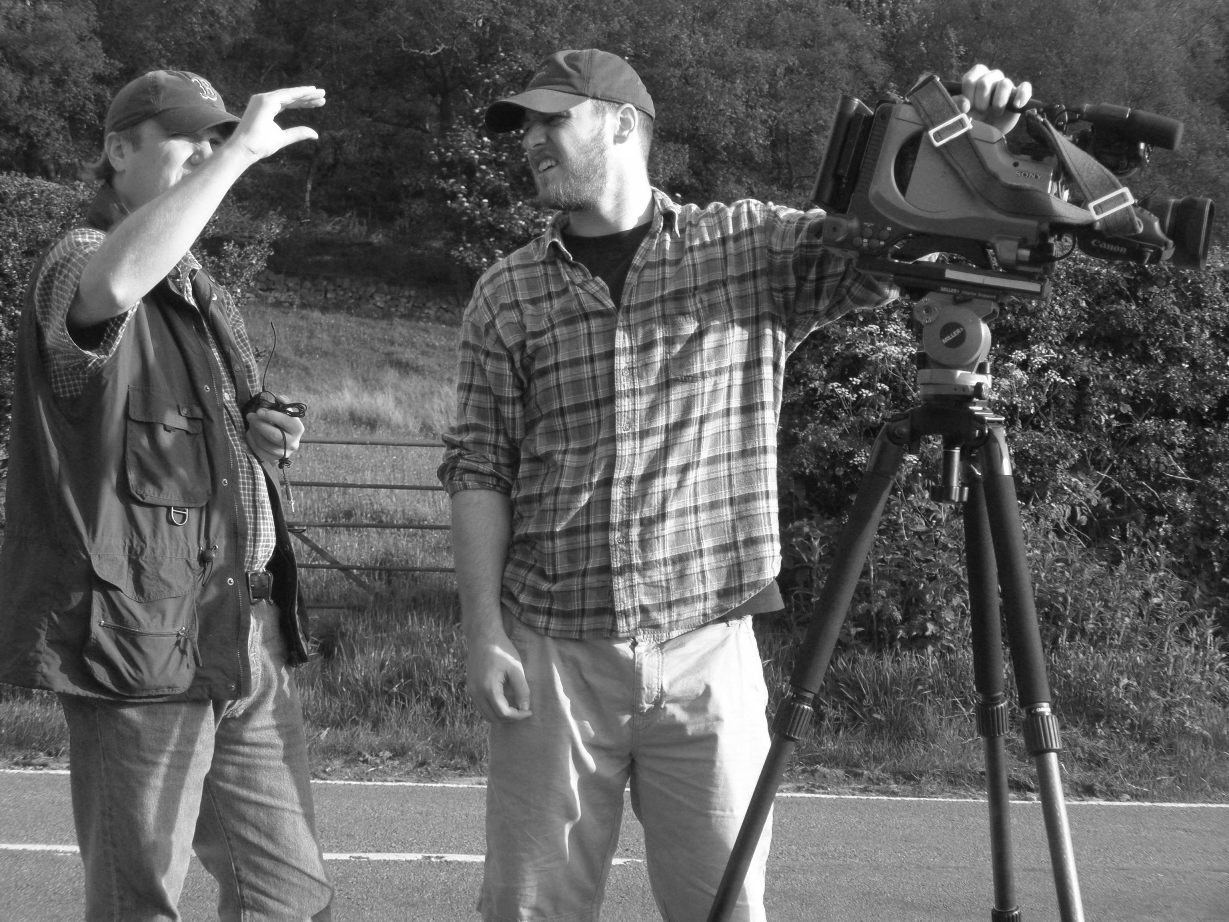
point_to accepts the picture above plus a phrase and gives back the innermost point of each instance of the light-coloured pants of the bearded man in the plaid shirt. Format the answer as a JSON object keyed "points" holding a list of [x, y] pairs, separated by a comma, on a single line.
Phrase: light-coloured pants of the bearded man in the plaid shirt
{"points": [[683, 722]]}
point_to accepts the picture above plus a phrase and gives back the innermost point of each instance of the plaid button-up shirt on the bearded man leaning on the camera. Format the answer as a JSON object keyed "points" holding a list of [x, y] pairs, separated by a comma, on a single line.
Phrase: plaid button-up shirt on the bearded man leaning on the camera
{"points": [[638, 443]]}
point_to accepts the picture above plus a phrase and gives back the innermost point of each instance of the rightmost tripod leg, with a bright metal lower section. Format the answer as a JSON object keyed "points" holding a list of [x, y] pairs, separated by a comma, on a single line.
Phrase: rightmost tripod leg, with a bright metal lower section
{"points": [[1042, 728]]}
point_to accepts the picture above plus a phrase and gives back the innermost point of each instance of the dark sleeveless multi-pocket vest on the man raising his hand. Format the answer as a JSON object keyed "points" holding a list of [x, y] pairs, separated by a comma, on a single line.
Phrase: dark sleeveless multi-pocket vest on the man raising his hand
{"points": [[121, 573]]}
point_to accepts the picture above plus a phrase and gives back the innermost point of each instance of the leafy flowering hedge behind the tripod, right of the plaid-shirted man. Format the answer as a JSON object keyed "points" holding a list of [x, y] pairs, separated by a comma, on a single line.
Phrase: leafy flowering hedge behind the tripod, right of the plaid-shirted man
{"points": [[1117, 394]]}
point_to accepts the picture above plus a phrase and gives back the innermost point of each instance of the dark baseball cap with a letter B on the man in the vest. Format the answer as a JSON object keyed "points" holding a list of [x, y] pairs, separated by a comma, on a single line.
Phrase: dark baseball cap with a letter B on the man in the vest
{"points": [[183, 103]]}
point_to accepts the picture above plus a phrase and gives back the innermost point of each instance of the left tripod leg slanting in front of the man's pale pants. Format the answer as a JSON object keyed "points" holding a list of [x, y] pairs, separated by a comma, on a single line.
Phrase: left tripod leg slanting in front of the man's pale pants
{"points": [[795, 715]]}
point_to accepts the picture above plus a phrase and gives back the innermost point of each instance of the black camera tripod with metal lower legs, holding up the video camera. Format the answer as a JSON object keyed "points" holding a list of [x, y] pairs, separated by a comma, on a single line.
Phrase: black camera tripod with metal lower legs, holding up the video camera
{"points": [[953, 380]]}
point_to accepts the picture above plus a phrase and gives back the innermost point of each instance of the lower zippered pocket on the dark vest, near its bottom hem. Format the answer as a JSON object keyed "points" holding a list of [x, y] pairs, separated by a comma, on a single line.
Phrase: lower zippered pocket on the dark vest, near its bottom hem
{"points": [[142, 647]]}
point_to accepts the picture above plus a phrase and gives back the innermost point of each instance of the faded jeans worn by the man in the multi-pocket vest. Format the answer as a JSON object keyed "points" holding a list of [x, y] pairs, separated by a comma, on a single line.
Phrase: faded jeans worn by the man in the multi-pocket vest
{"points": [[153, 782]]}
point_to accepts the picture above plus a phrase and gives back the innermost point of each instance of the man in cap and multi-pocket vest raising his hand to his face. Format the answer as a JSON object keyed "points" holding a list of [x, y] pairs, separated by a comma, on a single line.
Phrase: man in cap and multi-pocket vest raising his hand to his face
{"points": [[149, 580]]}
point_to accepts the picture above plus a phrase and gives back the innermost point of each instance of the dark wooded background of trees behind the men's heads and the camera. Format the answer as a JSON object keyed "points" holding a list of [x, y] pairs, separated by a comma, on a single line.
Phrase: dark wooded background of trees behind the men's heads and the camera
{"points": [[745, 92]]}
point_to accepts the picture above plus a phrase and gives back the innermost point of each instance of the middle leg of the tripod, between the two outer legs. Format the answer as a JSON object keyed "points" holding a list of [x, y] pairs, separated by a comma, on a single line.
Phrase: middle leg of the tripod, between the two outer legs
{"points": [[992, 720]]}
